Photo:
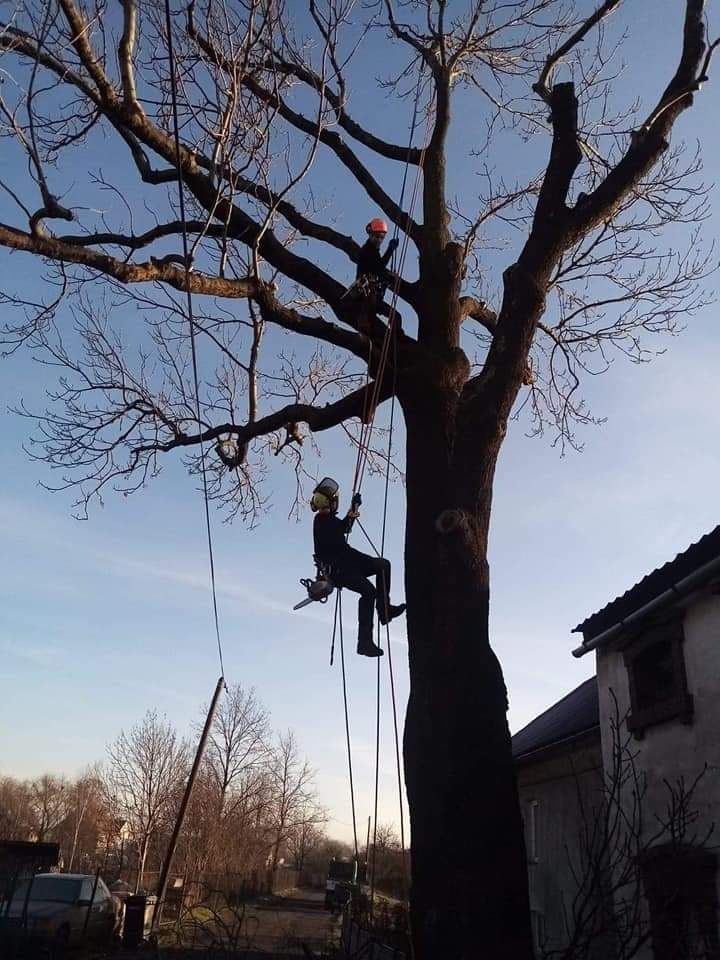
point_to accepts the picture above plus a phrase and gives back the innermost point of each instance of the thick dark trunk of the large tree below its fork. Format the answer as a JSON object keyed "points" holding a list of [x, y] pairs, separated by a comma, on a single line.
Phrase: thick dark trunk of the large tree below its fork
{"points": [[469, 875]]}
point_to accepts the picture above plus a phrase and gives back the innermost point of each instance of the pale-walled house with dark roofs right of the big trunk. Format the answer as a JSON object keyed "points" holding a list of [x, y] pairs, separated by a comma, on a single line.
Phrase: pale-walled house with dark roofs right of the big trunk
{"points": [[629, 856]]}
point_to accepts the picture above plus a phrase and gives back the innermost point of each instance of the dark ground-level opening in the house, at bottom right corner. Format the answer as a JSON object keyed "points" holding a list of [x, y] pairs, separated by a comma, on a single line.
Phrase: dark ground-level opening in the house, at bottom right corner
{"points": [[680, 886]]}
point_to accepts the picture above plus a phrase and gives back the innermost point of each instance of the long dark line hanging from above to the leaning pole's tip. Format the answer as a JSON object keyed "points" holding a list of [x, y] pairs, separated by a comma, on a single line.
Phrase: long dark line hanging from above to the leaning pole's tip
{"points": [[193, 348]]}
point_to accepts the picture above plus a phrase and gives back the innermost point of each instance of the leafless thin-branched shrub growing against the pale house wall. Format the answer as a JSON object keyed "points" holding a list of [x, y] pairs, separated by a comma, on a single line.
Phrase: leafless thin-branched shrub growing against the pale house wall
{"points": [[618, 837]]}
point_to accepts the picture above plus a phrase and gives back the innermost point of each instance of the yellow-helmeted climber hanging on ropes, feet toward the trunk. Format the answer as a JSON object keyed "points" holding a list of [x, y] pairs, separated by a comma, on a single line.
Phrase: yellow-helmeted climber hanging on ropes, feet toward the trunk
{"points": [[350, 568]]}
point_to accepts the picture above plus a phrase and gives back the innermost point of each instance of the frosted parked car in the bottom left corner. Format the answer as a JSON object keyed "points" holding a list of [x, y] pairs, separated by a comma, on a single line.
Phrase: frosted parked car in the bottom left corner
{"points": [[64, 908]]}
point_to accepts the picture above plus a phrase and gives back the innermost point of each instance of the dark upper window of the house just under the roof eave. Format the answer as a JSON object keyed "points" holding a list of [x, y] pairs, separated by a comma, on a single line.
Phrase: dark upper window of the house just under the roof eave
{"points": [[656, 671]]}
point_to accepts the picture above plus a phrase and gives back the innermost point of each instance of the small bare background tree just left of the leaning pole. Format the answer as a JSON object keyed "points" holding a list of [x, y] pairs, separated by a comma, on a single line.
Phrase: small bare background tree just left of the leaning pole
{"points": [[144, 771]]}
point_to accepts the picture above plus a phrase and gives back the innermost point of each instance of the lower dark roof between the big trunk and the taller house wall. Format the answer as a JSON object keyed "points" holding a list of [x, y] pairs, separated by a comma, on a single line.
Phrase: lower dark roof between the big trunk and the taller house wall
{"points": [[575, 714]]}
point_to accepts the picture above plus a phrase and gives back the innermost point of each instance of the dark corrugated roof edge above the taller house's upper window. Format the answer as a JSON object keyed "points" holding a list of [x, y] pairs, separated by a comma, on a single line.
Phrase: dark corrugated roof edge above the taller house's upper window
{"points": [[697, 555]]}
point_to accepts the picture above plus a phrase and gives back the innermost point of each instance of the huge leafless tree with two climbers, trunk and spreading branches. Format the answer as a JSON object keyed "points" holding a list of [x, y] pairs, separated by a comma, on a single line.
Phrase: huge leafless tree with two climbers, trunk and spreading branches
{"points": [[264, 89]]}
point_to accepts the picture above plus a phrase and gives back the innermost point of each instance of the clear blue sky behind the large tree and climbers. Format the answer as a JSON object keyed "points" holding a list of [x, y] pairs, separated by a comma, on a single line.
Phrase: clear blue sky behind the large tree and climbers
{"points": [[101, 620]]}
